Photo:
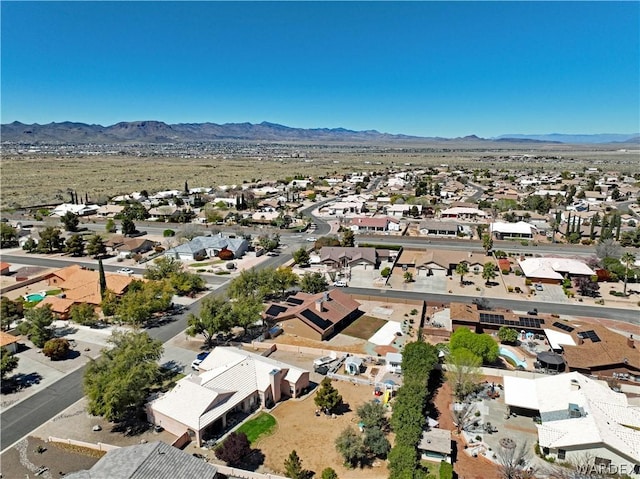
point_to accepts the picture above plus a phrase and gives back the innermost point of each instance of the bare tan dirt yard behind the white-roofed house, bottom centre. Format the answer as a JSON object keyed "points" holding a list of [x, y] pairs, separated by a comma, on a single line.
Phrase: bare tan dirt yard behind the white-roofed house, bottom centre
{"points": [[313, 437]]}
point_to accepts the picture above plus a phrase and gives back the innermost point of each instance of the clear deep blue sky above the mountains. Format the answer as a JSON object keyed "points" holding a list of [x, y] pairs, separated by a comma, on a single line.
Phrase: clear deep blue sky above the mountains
{"points": [[421, 68]]}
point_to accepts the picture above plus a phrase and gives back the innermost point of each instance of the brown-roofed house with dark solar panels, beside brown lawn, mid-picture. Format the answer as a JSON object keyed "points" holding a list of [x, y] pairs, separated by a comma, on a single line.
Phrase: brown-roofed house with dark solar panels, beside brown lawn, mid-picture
{"points": [[314, 316]]}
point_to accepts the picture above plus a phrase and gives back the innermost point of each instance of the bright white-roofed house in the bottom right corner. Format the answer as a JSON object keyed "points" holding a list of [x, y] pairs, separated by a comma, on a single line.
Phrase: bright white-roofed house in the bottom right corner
{"points": [[579, 416]]}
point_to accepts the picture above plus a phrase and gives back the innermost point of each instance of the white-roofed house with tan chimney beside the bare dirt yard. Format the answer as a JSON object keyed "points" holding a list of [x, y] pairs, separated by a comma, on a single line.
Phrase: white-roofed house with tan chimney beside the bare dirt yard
{"points": [[232, 380]]}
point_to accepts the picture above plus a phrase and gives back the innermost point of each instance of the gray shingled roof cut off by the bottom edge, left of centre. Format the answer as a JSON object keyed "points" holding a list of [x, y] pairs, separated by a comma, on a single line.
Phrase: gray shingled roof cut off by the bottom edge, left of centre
{"points": [[147, 461]]}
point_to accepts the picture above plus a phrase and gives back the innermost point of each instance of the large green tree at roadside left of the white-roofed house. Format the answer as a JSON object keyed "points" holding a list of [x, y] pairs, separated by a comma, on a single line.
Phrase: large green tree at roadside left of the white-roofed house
{"points": [[120, 379]]}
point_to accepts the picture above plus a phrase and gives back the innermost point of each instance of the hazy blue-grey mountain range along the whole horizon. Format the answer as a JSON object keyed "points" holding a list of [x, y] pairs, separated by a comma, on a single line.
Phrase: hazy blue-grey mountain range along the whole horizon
{"points": [[160, 132]]}
